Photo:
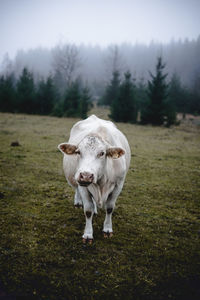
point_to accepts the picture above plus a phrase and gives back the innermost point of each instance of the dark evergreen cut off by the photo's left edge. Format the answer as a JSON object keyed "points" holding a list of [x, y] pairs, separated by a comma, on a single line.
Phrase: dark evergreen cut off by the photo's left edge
{"points": [[7, 93]]}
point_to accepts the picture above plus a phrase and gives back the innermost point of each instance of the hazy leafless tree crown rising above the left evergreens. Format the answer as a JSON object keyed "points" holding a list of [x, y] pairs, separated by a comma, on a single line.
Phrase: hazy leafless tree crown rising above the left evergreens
{"points": [[66, 61]]}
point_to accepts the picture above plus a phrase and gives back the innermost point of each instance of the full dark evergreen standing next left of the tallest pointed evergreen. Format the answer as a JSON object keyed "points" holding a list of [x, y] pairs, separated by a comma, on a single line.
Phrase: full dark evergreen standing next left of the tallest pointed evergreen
{"points": [[123, 108]]}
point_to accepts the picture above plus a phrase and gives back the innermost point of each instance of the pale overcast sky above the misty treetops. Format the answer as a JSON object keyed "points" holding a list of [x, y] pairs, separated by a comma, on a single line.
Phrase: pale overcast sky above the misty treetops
{"points": [[28, 24]]}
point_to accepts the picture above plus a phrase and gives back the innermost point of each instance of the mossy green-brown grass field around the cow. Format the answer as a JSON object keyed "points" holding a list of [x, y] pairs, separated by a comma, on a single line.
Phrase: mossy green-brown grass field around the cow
{"points": [[155, 251]]}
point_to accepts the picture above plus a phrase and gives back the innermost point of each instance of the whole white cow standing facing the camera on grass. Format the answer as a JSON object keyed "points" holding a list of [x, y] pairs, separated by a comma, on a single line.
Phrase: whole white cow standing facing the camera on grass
{"points": [[95, 163]]}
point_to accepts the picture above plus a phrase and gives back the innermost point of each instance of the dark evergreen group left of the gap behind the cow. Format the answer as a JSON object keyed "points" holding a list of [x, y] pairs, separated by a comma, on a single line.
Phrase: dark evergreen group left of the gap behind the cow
{"points": [[24, 95]]}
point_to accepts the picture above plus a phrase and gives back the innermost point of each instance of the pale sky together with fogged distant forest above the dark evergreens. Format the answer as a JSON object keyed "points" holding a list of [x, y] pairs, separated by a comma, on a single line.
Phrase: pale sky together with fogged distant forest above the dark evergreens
{"points": [[141, 30]]}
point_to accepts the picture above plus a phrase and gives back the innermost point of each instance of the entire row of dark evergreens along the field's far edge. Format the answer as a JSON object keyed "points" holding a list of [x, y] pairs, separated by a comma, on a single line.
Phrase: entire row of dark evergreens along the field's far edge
{"points": [[155, 102]]}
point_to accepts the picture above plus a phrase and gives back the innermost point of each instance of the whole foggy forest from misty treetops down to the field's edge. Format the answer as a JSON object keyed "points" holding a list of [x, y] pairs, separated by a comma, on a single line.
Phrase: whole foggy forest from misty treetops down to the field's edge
{"points": [[72, 77]]}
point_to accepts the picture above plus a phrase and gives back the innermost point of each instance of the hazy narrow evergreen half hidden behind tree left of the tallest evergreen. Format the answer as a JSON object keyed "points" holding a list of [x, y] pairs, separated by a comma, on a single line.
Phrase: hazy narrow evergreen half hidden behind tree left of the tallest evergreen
{"points": [[112, 90]]}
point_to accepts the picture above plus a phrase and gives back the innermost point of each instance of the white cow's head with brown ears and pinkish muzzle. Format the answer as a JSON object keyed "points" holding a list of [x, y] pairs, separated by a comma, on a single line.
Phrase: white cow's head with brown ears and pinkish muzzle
{"points": [[92, 154]]}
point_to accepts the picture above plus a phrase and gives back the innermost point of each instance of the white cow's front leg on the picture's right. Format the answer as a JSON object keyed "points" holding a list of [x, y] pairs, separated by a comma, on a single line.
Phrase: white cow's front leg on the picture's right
{"points": [[109, 207]]}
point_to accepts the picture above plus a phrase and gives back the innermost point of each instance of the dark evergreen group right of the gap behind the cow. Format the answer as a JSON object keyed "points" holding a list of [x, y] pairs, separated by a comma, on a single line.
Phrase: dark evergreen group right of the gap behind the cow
{"points": [[156, 102]]}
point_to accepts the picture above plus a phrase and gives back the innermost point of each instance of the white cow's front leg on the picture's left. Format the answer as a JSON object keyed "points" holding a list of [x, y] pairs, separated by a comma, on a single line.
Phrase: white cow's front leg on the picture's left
{"points": [[89, 209]]}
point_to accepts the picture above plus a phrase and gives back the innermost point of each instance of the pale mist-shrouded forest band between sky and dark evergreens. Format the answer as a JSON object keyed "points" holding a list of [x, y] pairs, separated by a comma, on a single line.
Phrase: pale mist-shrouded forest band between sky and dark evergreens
{"points": [[181, 57]]}
